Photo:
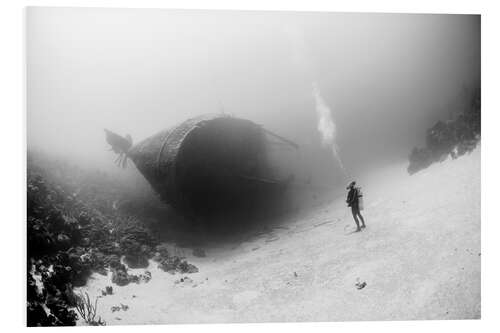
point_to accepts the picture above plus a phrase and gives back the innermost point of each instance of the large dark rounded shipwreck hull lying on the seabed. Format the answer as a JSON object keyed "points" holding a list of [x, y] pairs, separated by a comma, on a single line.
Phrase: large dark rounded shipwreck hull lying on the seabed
{"points": [[208, 165]]}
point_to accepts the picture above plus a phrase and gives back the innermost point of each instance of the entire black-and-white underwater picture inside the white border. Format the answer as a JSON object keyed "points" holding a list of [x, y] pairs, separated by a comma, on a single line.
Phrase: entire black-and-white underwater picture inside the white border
{"points": [[190, 166]]}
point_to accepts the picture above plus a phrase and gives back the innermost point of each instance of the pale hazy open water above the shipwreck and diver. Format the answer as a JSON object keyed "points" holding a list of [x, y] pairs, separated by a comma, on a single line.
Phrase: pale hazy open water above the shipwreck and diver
{"points": [[355, 91]]}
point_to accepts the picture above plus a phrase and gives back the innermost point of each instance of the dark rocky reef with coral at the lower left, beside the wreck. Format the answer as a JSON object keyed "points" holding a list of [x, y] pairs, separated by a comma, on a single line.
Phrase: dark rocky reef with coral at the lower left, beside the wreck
{"points": [[74, 229]]}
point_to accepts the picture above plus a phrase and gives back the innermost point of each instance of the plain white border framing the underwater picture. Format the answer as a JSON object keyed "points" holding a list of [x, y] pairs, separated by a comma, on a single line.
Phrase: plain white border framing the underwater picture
{"points": [[12, 200]]}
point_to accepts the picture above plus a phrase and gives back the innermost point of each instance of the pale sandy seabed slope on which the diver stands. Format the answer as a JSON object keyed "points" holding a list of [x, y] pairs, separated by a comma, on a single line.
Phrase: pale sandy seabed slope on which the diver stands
{"points": [[419, 256]]}
